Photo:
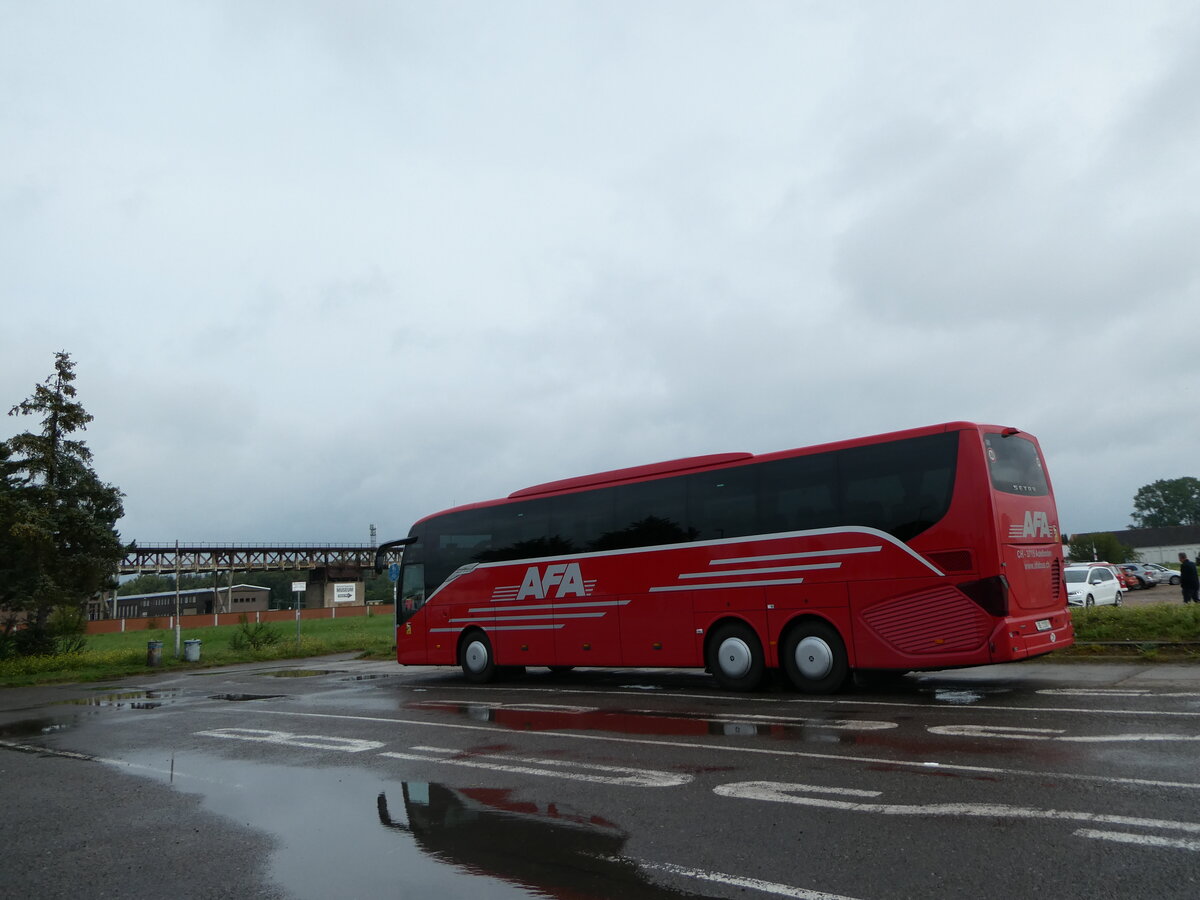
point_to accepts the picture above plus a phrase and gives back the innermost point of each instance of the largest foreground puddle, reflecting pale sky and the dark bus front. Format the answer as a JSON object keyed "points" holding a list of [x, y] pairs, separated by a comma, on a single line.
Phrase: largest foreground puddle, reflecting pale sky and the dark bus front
{"points": [[437, 842]]}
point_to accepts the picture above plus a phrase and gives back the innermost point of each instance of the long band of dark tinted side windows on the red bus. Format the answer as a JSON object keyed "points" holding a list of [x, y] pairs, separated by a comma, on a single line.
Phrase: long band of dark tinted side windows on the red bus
{"points": [[902, 488]]}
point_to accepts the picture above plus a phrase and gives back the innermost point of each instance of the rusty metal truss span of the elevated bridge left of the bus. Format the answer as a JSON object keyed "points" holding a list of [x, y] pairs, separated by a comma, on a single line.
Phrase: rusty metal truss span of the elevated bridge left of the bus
{"points": [[160, 559]]}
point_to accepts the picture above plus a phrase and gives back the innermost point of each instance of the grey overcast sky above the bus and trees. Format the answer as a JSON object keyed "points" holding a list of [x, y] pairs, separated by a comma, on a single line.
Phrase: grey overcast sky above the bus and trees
{"points": [[331, 265]]}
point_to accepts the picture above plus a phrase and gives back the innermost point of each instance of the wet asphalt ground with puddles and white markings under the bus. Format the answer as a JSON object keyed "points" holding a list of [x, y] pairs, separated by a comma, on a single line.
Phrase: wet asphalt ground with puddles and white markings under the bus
{"points": [[335, 778]]}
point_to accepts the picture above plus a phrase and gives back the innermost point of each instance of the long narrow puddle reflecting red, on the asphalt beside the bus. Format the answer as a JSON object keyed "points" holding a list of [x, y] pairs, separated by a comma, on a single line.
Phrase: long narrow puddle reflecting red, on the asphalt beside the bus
{"points": [[548, 717]]}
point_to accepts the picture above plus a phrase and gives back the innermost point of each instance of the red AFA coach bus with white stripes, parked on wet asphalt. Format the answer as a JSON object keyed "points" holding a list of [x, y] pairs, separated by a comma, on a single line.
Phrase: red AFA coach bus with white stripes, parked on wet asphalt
{"points": [[926, 549]]}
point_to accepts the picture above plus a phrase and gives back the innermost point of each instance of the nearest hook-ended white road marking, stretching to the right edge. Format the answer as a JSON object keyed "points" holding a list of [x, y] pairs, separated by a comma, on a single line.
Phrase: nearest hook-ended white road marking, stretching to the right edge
{"points": [[794, 794]]}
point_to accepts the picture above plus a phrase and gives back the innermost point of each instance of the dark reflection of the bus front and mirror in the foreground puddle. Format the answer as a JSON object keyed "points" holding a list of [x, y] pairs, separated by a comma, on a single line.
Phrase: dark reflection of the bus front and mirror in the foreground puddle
{"points": [[484, 832]]}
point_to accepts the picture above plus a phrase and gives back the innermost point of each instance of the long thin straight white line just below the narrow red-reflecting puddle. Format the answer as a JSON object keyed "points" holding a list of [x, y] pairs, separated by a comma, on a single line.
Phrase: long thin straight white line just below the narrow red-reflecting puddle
{"points": [[595, 739]]}
